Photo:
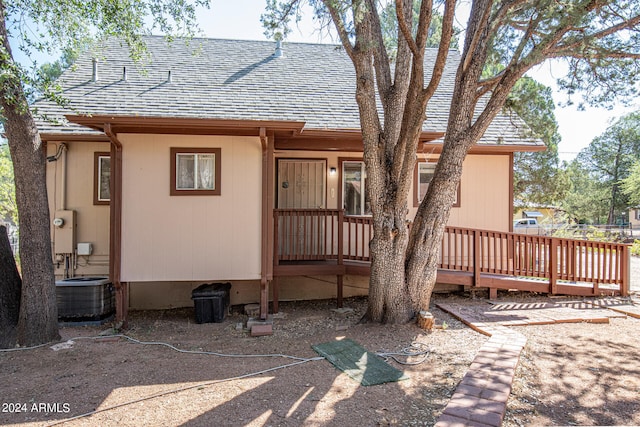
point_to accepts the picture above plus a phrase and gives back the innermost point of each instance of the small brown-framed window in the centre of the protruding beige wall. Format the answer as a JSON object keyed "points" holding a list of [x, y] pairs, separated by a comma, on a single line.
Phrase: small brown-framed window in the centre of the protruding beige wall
{"points": [[195, 171]]}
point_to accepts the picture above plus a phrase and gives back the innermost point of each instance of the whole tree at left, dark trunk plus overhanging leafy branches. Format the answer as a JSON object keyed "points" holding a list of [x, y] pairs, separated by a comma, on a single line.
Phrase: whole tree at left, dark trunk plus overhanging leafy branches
{"points": [[52, 26]]}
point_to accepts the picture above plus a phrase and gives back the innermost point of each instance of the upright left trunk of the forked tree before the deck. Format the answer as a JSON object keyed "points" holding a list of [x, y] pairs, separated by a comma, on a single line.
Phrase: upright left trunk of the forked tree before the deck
{"points": [[390, 144]]}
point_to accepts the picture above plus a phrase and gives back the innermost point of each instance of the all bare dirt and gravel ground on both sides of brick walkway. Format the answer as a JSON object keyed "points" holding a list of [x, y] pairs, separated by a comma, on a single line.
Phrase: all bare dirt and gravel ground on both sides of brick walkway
{"points": [[569, 374]]}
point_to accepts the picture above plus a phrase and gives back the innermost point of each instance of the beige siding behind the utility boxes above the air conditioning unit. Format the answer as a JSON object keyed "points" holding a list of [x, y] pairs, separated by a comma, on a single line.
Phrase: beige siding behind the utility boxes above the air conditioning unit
{"points": [[92, 222]]}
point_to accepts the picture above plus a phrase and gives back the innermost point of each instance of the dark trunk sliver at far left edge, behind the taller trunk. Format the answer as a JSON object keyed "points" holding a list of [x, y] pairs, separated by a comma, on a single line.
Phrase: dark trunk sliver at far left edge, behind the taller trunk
{"points": [[9, 292]]}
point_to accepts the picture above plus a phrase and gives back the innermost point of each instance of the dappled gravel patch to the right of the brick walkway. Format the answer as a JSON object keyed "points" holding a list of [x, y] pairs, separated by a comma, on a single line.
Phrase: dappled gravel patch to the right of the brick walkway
{"points": [[579, 374]]}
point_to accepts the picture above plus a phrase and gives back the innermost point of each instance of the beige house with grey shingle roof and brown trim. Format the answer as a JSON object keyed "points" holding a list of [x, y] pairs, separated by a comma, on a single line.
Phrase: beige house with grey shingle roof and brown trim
{"points": [[227, 160]]}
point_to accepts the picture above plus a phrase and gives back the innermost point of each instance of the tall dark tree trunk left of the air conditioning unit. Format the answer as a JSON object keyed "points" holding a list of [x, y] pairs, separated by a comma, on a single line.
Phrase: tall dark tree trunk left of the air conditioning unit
{"points": [[38, 321]]}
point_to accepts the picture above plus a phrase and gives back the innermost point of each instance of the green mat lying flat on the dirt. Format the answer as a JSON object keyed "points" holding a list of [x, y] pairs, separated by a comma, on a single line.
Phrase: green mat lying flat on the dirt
{"points": [[360, 364]]}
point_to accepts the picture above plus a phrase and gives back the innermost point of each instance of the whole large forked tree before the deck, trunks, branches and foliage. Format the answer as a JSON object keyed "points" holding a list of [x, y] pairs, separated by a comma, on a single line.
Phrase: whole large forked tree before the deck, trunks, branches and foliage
{"points": [[599, 40]]}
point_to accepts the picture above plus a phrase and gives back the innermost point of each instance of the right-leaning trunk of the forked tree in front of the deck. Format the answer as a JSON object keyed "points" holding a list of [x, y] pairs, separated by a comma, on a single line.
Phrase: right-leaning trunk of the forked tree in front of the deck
{"points": [[423, 251]]}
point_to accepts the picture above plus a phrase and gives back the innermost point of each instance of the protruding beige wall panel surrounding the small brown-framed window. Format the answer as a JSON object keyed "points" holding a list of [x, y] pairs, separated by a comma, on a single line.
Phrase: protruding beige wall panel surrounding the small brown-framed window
{"points": [[188, 238]]}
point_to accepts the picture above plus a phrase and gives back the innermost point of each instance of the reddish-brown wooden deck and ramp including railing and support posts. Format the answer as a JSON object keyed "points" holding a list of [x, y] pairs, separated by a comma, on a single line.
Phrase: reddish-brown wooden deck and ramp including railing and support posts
{"points": [[326, 242]]}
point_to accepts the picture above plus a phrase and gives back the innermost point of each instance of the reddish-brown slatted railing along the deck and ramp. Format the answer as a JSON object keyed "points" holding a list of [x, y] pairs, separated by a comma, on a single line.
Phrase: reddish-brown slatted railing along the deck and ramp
{"points": [[326, 234]]}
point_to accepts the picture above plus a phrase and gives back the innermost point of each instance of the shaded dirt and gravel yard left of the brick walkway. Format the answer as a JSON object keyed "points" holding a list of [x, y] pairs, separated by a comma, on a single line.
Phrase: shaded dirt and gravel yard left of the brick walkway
{"points": [[133, 385]]}
